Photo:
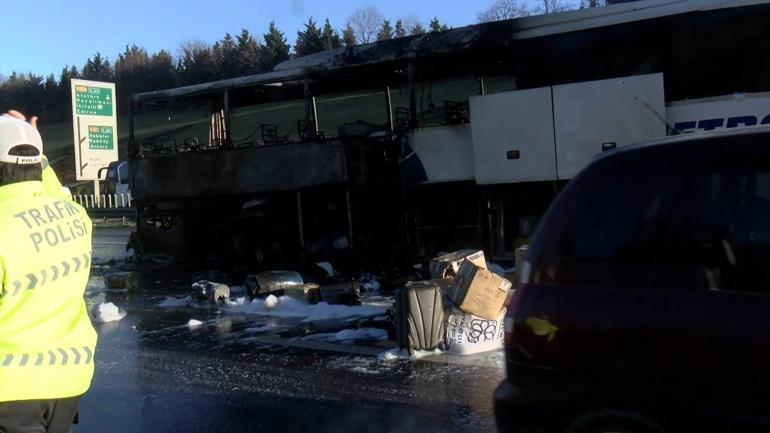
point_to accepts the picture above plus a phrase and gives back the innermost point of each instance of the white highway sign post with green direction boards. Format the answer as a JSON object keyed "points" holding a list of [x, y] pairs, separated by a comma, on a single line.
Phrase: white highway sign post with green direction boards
{"points": [[95, 129]]}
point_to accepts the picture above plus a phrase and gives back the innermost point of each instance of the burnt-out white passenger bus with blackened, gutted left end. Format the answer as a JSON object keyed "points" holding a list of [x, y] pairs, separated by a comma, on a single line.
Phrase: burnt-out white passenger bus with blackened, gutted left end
{"points": [[396, 150]]}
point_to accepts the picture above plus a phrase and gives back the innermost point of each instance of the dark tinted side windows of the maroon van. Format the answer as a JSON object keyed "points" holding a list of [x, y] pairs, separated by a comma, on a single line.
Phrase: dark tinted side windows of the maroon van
{"points": [[672, 222]]}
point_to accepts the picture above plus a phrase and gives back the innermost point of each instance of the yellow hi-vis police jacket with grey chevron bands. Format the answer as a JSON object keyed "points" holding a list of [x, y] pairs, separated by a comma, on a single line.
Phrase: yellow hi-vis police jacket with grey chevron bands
{"points": [[47, 342]]}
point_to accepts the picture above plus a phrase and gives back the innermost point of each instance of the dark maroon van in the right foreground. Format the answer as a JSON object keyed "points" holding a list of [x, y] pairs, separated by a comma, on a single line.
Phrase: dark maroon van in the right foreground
{"points": [[644, 302]]}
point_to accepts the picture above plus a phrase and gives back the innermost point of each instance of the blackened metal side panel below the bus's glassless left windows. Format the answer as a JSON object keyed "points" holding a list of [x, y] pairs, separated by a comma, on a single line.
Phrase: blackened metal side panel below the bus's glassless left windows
{"points": [[239, 171]]}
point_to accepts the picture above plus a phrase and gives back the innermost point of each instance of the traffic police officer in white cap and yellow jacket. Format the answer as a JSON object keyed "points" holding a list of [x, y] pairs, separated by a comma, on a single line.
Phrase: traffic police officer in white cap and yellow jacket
{"points": [[47, 342]]}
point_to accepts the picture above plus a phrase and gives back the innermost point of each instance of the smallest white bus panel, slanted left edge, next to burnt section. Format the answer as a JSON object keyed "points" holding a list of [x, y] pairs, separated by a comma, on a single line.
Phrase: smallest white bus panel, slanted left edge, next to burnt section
{"points": [[446, 152]]}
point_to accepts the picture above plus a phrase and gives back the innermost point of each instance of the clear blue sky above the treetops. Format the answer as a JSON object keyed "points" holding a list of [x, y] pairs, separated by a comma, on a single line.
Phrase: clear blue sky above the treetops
{"points": [[44, 36]]}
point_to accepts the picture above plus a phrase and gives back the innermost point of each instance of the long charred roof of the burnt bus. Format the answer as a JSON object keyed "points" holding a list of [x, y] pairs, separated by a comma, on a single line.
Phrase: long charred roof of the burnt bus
{"points": [[489, 44]]}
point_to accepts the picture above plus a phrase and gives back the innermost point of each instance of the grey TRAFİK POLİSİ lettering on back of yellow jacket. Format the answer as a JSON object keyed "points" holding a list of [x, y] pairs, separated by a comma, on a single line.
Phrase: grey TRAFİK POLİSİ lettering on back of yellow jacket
{"points": [[54, 224]]}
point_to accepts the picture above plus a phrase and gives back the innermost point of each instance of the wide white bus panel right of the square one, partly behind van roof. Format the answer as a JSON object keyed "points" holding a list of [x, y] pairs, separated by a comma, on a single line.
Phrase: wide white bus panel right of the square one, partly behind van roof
{"points": [[622, 111]]}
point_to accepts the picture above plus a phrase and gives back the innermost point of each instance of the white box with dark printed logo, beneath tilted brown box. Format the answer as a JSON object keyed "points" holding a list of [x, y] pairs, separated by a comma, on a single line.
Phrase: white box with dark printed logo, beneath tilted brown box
{"points": [[468, 334]]}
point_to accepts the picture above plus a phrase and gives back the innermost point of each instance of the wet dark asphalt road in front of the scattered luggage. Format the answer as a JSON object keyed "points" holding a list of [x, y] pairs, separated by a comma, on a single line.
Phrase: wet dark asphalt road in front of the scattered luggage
{"points": [[155, 374]]}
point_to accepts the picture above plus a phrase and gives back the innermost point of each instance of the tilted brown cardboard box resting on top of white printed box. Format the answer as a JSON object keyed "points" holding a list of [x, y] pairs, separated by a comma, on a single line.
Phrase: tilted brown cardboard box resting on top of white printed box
{"points": [[477, 291]]}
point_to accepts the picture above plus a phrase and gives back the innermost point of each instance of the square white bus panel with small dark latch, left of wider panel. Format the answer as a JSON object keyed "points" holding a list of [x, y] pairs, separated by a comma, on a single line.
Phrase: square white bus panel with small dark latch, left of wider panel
{"points": [[513, 121]]}
